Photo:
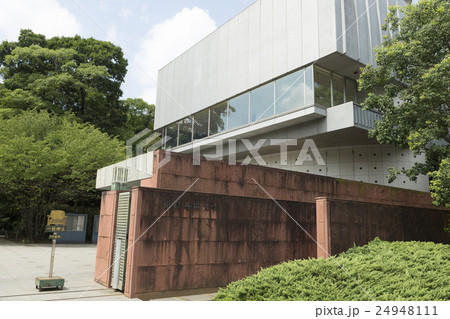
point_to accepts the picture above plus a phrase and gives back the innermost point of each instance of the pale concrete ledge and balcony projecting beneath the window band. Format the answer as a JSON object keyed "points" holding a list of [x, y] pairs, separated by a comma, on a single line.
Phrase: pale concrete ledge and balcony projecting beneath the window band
{"points": [[345, 124]]}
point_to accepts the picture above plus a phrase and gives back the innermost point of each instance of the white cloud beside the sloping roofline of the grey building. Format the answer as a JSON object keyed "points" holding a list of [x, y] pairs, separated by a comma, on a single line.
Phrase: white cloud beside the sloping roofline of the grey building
{"points": [[166, 40]]}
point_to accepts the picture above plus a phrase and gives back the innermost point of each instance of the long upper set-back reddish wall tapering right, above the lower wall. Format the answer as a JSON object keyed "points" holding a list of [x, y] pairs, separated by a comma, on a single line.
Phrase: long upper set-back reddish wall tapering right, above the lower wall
{"points": [[217, 177]]}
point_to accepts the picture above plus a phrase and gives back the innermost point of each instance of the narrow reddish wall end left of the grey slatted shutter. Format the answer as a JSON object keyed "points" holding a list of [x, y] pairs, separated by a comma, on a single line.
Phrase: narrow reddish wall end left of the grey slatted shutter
{"points": [[106, 228]]}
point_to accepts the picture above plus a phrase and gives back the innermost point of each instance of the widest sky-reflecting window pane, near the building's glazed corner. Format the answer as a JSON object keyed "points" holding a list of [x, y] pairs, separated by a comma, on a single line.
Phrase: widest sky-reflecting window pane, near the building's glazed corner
{"points": [[290, 92]]}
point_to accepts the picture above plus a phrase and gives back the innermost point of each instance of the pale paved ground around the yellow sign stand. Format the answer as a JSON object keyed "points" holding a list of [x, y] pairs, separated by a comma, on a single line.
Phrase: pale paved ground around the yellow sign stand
{"points": [[20, 264]]}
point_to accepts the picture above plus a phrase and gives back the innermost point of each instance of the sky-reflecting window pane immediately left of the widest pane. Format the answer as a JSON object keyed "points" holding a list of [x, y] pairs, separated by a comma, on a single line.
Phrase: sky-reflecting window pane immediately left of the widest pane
{"points": [[262, 102]]}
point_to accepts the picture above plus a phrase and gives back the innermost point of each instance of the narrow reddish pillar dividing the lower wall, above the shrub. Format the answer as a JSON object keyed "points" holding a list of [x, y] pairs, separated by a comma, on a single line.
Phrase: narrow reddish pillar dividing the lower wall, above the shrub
{"points": [[323, 227]]}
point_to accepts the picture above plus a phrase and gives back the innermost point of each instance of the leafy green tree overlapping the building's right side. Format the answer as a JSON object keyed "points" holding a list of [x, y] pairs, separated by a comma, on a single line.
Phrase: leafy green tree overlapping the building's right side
{"points": [[410, 85]]}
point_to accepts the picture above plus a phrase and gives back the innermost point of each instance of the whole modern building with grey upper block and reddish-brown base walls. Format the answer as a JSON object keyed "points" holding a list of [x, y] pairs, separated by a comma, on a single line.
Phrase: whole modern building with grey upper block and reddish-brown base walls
{"points": [[276, 80]]}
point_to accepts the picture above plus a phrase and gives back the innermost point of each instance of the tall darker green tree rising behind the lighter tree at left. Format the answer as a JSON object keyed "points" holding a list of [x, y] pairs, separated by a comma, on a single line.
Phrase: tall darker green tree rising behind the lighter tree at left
{"points": [[65, 75]]}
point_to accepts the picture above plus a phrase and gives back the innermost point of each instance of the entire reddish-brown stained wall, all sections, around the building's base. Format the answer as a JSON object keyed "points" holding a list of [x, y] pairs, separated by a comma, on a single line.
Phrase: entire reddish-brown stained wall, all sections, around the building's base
{"points": [[195, 247]]}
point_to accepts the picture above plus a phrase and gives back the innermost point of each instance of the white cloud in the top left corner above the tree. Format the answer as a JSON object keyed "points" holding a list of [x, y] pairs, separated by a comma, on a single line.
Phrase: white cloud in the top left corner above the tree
{"points": [[46, 17]]}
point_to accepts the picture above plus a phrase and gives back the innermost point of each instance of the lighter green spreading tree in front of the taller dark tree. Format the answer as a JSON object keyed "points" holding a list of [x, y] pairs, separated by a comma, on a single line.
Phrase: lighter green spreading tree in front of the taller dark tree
{"points": [[48, 162]]}
